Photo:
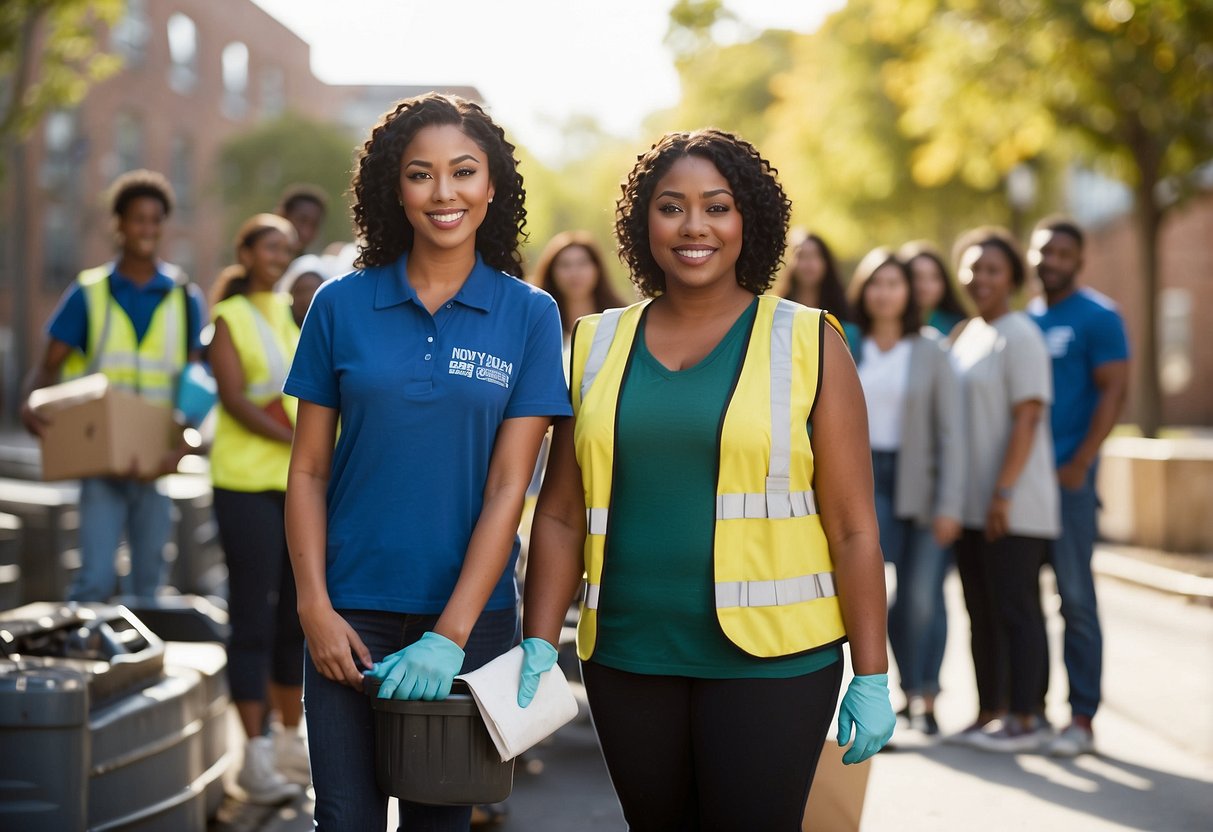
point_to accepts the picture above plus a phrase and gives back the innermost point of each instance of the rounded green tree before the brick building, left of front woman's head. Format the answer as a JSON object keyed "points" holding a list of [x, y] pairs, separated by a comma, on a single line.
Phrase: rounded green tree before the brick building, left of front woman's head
{"points": [[260, 164]]}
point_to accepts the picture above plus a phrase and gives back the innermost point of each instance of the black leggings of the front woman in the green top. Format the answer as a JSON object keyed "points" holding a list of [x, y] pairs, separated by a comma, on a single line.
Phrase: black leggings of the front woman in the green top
{"points": [[711, 754]]}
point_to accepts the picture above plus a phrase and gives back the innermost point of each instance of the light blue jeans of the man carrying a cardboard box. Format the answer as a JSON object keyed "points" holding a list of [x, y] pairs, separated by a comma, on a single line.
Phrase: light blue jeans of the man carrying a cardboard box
{"points": [[107, 509]]}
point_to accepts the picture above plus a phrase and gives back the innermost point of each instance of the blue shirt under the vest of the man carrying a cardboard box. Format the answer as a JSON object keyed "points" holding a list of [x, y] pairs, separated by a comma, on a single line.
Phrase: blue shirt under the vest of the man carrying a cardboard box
{"points": [[70, 322]]}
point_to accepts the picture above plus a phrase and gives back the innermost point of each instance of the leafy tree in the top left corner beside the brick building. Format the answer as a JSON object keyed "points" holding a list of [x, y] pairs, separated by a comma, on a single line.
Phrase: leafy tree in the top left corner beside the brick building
{"points": [[49, 56]]}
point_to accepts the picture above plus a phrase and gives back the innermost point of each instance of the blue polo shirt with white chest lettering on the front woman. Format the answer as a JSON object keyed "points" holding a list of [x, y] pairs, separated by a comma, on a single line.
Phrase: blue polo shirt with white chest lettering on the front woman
{"points": [[422, 398]]}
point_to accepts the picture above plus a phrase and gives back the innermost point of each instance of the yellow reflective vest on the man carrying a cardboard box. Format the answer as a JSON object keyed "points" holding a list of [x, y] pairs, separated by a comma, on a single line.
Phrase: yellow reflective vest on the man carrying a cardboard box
{"points": [[149, 368]]}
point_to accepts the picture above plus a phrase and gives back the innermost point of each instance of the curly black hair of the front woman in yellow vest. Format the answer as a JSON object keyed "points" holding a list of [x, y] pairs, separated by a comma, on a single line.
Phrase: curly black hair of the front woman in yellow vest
{"points": [[760, 200]]}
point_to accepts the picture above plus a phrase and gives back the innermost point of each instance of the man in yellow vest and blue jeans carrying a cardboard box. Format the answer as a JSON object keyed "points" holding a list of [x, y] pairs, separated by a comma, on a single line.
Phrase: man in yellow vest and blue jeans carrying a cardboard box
{"points": [[139, 321]]}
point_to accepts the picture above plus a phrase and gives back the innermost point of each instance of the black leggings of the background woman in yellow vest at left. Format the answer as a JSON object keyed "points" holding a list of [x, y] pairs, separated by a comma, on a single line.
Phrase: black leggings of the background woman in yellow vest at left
{"points": [[267, 640]]}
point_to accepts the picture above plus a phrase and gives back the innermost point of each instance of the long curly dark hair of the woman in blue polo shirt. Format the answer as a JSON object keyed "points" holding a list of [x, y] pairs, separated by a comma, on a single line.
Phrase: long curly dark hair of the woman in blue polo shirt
{"points": [[384, 232]]}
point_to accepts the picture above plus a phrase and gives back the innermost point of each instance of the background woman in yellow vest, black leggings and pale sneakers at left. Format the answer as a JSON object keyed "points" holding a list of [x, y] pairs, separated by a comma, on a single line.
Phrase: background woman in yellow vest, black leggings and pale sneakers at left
{"points": [[252, 351]]}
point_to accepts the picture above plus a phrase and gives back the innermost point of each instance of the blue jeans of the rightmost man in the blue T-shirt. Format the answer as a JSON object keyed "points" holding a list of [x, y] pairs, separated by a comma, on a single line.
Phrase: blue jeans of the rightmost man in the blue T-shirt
{"points": [[1084, 645]]}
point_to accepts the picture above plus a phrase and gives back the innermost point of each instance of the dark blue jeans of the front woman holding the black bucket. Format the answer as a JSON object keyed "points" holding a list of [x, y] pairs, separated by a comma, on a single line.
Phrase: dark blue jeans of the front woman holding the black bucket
{"points": [[341, 726]]}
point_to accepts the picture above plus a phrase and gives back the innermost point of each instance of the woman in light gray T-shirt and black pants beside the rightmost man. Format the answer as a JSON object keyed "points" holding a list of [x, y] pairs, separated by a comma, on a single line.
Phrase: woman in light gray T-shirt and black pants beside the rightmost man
{"points": [[1011, 499]]}
